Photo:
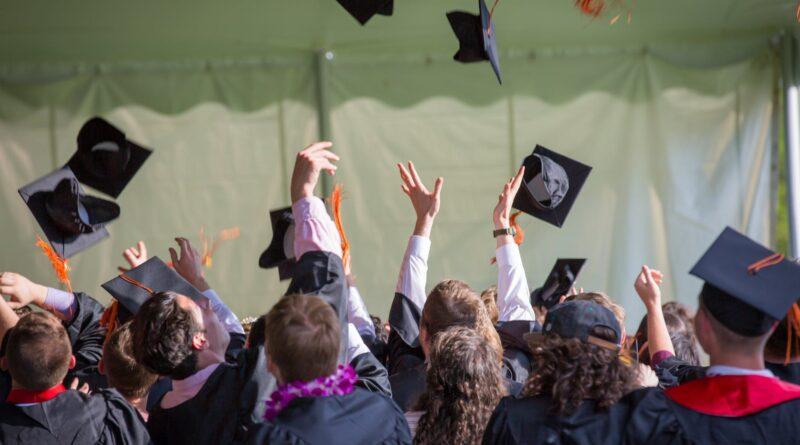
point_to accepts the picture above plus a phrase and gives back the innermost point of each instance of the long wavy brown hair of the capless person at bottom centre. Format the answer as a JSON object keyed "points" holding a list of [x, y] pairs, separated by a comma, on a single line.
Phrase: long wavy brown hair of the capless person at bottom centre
{"points": [[464, 385]]}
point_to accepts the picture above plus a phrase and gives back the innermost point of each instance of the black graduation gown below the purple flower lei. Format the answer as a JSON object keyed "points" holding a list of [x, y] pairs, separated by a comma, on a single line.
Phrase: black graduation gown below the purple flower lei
{"points": [[360, 417]]}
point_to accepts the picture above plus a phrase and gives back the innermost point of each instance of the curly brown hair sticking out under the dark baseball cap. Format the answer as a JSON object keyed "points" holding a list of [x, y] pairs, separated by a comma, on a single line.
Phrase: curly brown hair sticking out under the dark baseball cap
{"points": [[571, 371]]}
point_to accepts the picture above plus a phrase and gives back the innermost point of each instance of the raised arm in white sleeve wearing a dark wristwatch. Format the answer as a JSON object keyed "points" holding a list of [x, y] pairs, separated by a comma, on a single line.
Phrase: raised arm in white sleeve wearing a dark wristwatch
{"points": [[513, 295]]}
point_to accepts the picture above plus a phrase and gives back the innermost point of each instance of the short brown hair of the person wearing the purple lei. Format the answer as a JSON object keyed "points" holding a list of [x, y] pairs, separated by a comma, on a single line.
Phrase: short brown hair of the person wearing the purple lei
{"points": [[302, 337]]}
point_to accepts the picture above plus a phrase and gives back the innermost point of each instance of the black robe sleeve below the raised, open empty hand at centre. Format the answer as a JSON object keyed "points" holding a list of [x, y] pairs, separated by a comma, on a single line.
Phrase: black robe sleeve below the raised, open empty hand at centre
{"points": [[403, 349]]}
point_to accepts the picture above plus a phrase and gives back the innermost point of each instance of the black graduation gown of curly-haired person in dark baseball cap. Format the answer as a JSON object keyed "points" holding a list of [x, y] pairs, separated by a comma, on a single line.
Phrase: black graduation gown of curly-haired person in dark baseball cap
{"points": [[527, 420]]}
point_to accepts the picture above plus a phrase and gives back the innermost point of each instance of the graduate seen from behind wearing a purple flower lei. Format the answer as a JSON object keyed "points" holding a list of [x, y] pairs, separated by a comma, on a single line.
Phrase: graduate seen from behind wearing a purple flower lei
{"points": [[316, 401]]}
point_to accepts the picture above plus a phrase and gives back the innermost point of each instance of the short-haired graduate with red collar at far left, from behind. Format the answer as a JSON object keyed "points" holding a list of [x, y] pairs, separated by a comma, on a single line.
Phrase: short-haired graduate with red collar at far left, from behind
{"points": [[40, 410]]}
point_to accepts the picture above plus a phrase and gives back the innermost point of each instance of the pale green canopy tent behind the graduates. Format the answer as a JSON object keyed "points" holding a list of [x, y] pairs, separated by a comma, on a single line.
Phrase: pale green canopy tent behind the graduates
{"points": [[679, 112]]}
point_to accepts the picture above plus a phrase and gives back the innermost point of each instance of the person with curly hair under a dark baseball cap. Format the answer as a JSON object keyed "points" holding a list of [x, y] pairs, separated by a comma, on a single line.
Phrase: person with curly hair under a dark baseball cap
{"points": [[579, 377]]}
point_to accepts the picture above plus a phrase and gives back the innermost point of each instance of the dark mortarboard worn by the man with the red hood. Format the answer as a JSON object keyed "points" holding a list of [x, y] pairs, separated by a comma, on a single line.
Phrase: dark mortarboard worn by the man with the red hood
{"points": [[747, 286]]}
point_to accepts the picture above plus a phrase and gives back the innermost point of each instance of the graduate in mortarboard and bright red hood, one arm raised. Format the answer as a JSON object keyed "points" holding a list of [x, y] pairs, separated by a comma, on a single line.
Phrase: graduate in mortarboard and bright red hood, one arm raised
{"points": [[747, 290]]}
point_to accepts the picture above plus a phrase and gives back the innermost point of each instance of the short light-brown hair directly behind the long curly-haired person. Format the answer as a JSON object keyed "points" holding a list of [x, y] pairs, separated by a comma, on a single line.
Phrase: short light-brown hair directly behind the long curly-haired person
{"points": [[453, 303]]}
